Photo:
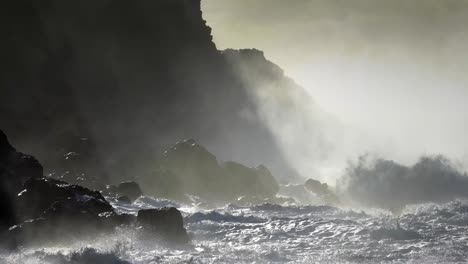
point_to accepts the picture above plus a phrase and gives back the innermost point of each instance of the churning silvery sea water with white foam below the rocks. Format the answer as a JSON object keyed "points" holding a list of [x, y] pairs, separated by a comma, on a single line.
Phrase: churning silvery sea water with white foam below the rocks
{"points": [[278, 234]]}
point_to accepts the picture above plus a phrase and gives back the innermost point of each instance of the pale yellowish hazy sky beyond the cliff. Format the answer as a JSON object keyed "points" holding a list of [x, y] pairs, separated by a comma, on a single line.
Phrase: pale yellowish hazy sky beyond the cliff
{"points": [[396, 70]]}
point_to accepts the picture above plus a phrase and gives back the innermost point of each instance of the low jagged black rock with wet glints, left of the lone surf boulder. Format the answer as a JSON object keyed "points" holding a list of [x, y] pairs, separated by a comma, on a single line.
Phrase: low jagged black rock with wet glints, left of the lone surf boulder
{"points": [[54, 210]]}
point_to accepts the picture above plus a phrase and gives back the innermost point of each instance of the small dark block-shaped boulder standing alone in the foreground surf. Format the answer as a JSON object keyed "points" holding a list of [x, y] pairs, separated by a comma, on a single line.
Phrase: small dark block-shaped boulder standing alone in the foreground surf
{"points": [[165, 223]]}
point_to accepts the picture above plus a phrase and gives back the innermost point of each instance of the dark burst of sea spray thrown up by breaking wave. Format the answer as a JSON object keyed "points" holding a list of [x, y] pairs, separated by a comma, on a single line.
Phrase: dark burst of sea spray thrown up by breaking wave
{"points": [[380, 183]]}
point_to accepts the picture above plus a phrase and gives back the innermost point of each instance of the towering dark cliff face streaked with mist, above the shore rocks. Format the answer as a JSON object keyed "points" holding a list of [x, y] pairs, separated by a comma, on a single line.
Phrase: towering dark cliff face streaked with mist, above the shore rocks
{"points": [[129, 75]]}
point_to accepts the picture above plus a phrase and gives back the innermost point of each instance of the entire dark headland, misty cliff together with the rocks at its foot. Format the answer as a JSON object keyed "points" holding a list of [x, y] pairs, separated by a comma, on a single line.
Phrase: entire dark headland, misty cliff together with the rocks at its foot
{"points": [[98, 92]]}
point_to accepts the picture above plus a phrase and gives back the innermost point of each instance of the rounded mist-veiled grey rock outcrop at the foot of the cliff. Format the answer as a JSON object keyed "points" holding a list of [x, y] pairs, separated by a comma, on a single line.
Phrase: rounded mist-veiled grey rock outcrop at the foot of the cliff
{"points": [[188, 168]]}
